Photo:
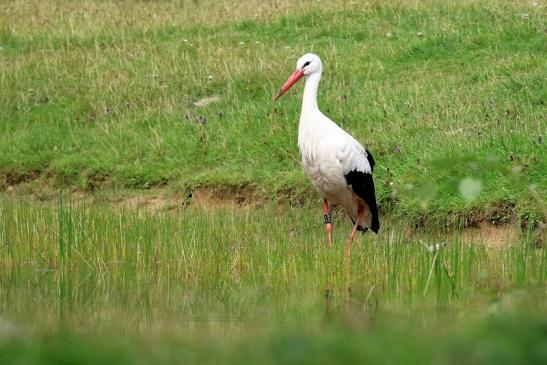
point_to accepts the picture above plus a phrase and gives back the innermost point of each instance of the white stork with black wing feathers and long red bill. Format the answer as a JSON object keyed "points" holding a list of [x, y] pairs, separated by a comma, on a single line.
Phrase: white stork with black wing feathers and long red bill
{"points": [[337, 165]]}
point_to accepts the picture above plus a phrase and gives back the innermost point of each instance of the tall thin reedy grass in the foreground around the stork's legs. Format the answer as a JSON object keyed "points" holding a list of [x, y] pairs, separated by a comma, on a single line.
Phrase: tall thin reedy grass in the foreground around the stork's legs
{"points": [[255, 285]]}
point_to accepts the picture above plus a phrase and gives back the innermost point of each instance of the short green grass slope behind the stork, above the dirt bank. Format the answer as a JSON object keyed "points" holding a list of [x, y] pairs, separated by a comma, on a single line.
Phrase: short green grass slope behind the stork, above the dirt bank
{"points": [[97, 95]]}
